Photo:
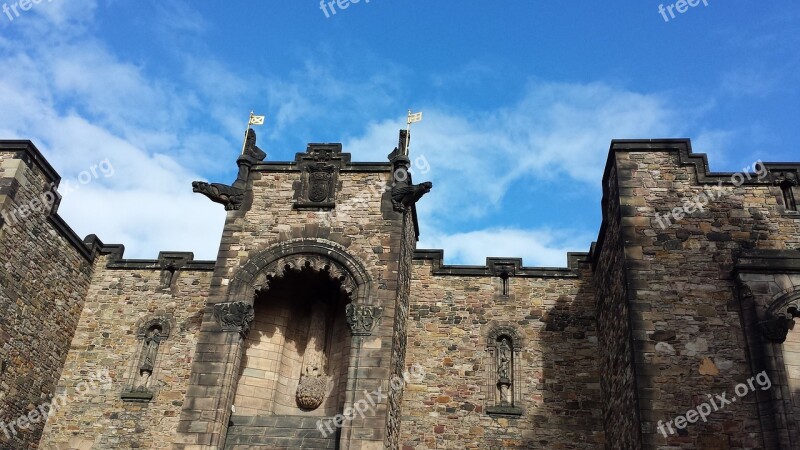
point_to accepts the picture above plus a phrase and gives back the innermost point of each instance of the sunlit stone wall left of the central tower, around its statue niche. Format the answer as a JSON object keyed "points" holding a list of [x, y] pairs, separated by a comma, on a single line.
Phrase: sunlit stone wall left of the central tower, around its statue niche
{"points": [[119, 302]]}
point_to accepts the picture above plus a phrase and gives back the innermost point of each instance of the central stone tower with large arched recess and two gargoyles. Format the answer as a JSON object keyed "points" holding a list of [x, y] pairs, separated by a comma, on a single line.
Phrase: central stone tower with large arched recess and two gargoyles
{"points": [[308, 304]]}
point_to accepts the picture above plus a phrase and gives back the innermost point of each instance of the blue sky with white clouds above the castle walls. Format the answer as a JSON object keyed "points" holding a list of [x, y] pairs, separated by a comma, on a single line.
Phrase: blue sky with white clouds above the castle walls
{"points": [[521, 101]]}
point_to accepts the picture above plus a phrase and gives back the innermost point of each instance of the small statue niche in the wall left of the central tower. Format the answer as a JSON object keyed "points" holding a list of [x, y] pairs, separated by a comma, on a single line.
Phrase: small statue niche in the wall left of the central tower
{"points": [[150, 336]]}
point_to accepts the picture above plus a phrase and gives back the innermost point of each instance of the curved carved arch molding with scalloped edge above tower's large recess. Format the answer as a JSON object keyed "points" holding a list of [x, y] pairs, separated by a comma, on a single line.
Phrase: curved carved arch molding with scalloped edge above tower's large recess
{"points": [[296, 254]]}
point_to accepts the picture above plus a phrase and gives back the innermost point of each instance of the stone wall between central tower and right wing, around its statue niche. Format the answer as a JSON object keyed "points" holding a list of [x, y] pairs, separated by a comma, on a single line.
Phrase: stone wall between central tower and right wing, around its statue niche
{"points": [[451, 316]]}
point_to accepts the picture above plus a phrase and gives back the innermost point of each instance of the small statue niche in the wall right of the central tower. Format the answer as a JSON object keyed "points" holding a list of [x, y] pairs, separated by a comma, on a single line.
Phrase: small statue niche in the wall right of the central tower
{"points": [[503, 371]]}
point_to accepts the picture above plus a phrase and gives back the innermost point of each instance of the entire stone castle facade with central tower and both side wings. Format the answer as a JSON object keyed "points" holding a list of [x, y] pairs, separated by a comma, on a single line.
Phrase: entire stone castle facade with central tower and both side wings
{"points": [[320, 325]]}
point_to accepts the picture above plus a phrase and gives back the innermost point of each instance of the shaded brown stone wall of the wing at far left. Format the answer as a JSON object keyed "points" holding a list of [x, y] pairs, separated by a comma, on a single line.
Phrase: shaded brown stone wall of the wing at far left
{"points": [[43, 282]]}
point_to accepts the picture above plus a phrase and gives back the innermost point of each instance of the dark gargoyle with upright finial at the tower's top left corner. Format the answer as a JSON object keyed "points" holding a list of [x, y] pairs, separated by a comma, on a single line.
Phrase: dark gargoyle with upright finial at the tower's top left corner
{"points": [[233, 196]]}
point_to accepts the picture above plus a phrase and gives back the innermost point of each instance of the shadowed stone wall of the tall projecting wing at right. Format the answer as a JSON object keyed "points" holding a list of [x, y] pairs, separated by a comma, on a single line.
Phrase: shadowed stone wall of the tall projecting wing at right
{"points": [[686, 321]]}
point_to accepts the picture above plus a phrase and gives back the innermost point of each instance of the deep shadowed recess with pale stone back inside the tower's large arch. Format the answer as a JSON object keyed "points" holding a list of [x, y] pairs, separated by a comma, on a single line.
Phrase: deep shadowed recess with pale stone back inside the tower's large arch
{"points": [[297, 351]]}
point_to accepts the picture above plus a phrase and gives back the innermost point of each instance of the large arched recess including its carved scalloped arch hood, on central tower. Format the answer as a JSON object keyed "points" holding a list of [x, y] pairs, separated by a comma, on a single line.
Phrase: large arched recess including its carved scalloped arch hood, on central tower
{"points": [[298, 350]]}
